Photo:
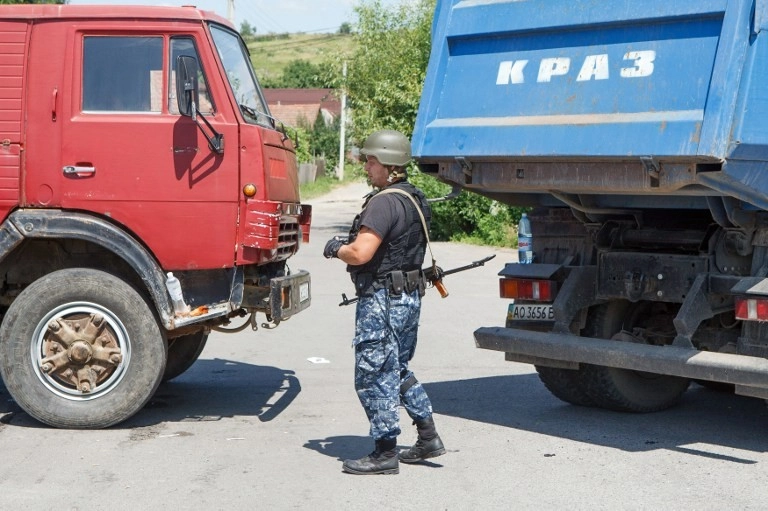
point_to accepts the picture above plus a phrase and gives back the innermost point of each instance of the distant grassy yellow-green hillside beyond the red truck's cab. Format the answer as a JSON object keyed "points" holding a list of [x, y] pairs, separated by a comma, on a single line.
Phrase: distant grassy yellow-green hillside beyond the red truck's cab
{"points": [[270, 54]]}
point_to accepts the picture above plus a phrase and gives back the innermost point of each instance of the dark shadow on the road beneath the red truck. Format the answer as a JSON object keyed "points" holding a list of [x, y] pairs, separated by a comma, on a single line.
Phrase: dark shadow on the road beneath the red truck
{"points": [[209, 391]]}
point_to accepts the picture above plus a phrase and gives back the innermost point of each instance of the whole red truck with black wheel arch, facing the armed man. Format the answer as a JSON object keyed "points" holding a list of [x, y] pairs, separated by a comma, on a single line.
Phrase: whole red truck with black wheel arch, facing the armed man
{"points": [[134, 142]]}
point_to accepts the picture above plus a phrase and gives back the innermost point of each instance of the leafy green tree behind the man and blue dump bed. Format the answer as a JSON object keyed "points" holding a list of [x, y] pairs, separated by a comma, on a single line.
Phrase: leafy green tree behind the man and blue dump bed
{"points": [[385, 78]]}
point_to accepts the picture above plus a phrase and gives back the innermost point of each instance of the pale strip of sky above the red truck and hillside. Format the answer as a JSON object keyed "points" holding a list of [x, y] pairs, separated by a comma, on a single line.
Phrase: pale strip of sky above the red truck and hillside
{"points": [[278, 16]]}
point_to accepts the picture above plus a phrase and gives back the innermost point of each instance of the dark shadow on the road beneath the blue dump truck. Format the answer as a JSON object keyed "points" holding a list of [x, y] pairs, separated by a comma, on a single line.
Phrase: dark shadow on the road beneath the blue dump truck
{"points": [[522, 402]]}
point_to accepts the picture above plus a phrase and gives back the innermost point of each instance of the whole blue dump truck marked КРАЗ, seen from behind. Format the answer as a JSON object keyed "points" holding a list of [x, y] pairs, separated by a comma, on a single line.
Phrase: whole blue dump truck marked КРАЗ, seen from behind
{"points": [[637, 133]]}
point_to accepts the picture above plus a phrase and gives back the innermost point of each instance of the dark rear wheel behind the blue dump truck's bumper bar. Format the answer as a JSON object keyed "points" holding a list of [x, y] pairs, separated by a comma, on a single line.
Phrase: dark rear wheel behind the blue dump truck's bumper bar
{"points": [[623, 389]]}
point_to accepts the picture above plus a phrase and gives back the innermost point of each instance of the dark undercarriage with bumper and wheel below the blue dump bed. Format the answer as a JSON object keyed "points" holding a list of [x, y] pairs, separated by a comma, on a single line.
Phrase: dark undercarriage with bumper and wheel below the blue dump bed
{"points": [[643, 299]]}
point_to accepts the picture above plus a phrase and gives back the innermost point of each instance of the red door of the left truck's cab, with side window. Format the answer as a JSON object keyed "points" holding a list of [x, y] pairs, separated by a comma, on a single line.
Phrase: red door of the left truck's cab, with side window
{"points": [[126, 152]]}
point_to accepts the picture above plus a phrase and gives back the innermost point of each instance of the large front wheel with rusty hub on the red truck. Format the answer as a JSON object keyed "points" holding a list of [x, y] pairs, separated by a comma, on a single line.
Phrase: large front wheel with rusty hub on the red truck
{"points": [[80, 348]]}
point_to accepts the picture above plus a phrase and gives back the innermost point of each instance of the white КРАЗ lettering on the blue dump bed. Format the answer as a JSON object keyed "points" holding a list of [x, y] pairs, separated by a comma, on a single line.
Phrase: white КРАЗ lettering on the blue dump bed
{"points": [[594, 67]]}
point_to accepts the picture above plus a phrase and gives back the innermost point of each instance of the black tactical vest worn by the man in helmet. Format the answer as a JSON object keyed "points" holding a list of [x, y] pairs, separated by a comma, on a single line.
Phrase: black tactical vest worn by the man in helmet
{"points": [[404, 253]]}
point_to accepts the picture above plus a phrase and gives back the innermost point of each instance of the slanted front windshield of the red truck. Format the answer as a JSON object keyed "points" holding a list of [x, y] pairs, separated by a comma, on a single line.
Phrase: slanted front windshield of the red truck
{"points": [[242, 79]]}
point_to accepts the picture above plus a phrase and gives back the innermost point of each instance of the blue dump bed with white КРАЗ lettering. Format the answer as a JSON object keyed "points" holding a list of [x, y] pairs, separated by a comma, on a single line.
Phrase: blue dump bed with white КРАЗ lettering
{"points": [[598, 97]]}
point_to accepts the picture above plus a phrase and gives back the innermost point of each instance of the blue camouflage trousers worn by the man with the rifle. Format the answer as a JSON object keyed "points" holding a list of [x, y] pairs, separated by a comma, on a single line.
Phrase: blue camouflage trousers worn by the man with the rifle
{"points": [[386, 328]]}
